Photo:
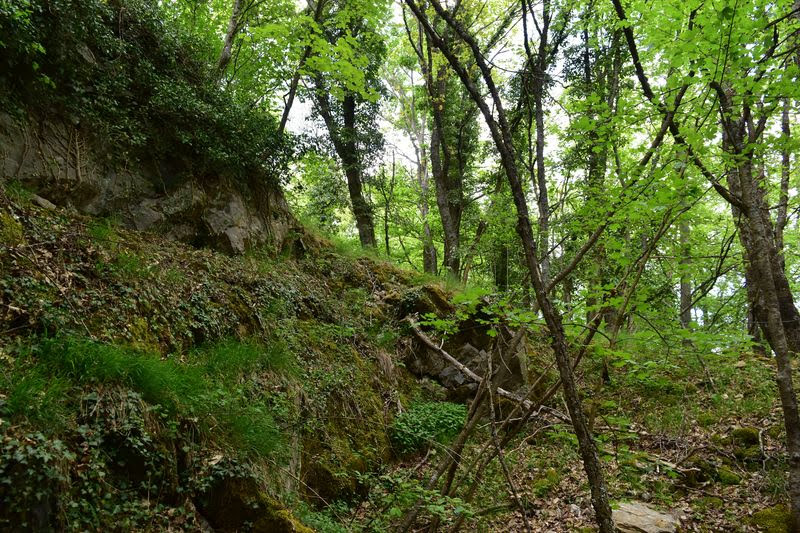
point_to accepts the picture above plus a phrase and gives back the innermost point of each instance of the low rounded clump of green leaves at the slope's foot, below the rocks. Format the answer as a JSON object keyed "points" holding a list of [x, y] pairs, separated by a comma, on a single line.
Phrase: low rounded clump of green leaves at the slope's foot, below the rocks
{"points": [[427, 423]]}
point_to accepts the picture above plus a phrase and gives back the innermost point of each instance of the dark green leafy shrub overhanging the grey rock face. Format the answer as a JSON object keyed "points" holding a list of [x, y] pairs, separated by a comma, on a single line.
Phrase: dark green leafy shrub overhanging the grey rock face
{"points": [[118, 72]]}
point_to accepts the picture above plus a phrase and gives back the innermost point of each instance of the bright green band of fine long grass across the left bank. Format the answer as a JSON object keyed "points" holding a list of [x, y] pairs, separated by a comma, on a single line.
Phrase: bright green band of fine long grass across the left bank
{"points": [[43, 379]]}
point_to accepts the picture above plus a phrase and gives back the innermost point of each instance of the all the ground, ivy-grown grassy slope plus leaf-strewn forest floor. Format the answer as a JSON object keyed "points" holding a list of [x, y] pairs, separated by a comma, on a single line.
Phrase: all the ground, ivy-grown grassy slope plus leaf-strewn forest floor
{"points": [[146, 385]]}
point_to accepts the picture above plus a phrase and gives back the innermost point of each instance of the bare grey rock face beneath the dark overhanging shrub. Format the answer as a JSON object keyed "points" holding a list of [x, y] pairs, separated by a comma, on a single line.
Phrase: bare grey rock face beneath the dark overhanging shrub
{"points": [[61, 165]]}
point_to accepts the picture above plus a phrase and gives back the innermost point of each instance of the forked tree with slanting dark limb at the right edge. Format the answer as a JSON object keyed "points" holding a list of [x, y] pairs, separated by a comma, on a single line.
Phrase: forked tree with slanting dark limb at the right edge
{"points": [[743, 116]]}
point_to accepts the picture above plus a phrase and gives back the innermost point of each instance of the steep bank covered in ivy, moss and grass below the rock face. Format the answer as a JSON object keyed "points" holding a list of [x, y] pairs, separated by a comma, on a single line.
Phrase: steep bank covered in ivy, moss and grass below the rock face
{"points": [[154, 385]]}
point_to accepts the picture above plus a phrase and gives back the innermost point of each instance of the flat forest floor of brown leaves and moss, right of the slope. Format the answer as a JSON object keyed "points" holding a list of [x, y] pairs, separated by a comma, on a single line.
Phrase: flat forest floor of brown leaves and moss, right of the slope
{"points": [[711, 455]]}
